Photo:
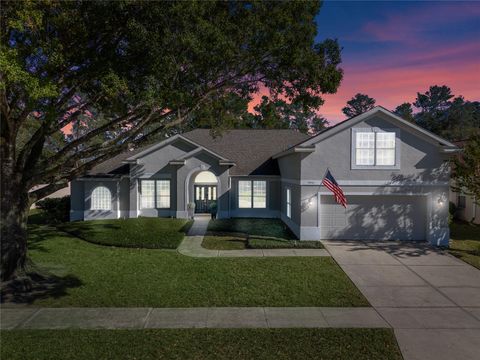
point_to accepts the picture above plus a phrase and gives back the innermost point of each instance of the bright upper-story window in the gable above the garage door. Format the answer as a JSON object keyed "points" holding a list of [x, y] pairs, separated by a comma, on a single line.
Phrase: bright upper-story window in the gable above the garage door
{"points": [[374, 148]]}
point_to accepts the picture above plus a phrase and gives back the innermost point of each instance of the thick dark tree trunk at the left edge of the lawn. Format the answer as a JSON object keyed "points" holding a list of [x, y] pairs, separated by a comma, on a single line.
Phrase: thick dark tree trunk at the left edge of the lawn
{"points": [[13, 227]]}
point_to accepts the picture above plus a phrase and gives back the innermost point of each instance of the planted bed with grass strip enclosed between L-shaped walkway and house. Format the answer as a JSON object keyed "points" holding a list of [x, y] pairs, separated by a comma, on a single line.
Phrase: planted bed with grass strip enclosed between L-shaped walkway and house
{"points": [[252, 233]]}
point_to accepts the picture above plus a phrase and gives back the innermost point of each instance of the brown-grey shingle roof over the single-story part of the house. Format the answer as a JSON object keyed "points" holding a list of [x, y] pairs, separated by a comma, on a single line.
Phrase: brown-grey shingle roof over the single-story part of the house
{"points": [[250, 149]]}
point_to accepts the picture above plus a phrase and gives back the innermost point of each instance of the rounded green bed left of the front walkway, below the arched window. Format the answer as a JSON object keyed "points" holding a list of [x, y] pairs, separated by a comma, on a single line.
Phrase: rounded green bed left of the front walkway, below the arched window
{"points": [[152, 233]]}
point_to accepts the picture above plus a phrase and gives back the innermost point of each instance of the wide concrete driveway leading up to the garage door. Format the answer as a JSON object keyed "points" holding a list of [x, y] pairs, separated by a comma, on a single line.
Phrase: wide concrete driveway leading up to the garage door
{"points": [[430, 298]]}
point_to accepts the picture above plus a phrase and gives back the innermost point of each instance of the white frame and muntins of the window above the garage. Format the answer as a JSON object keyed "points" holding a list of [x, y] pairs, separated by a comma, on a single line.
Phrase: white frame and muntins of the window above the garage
{"points": [[375, 166]]}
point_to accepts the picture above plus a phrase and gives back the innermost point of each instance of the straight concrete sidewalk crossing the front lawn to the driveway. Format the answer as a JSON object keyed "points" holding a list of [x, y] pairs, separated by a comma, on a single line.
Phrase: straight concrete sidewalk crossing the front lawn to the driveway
{"points": [[163, 318]]}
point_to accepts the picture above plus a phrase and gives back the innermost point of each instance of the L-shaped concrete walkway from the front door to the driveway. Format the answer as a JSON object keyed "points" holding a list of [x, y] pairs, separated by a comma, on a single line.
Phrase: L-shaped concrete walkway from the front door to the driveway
{"points": [[192, 246]]}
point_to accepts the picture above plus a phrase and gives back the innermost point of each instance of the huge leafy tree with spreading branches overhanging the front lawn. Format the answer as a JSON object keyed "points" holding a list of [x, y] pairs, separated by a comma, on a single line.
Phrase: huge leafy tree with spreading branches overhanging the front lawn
{"points": [[142, 69]]}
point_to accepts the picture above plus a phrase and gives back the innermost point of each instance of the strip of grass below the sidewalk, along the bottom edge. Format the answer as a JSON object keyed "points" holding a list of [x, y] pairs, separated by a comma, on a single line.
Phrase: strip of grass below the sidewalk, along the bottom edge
{"points": [[338, 344]]}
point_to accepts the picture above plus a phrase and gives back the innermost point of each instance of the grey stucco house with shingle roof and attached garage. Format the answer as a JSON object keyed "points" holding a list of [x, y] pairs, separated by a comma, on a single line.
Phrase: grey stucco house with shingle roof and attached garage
{"points": [[394, 174]]}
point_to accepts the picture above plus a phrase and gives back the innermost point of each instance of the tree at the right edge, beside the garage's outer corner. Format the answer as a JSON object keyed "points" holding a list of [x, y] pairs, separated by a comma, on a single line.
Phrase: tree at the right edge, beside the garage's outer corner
{"points": [[466, 169]]}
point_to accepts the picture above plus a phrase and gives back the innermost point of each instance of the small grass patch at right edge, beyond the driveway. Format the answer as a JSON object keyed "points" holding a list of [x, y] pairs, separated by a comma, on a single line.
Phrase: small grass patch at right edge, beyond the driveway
{"points": [[465, 242]]}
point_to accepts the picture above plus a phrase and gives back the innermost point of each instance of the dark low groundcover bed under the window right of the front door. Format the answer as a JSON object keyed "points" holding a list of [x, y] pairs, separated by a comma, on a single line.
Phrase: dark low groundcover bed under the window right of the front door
{"points": [[253, 227]]}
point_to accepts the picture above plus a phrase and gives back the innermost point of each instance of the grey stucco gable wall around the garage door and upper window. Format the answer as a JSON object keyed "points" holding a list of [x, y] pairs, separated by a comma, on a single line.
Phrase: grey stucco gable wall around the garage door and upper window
{"points": [[420, 163]]}
